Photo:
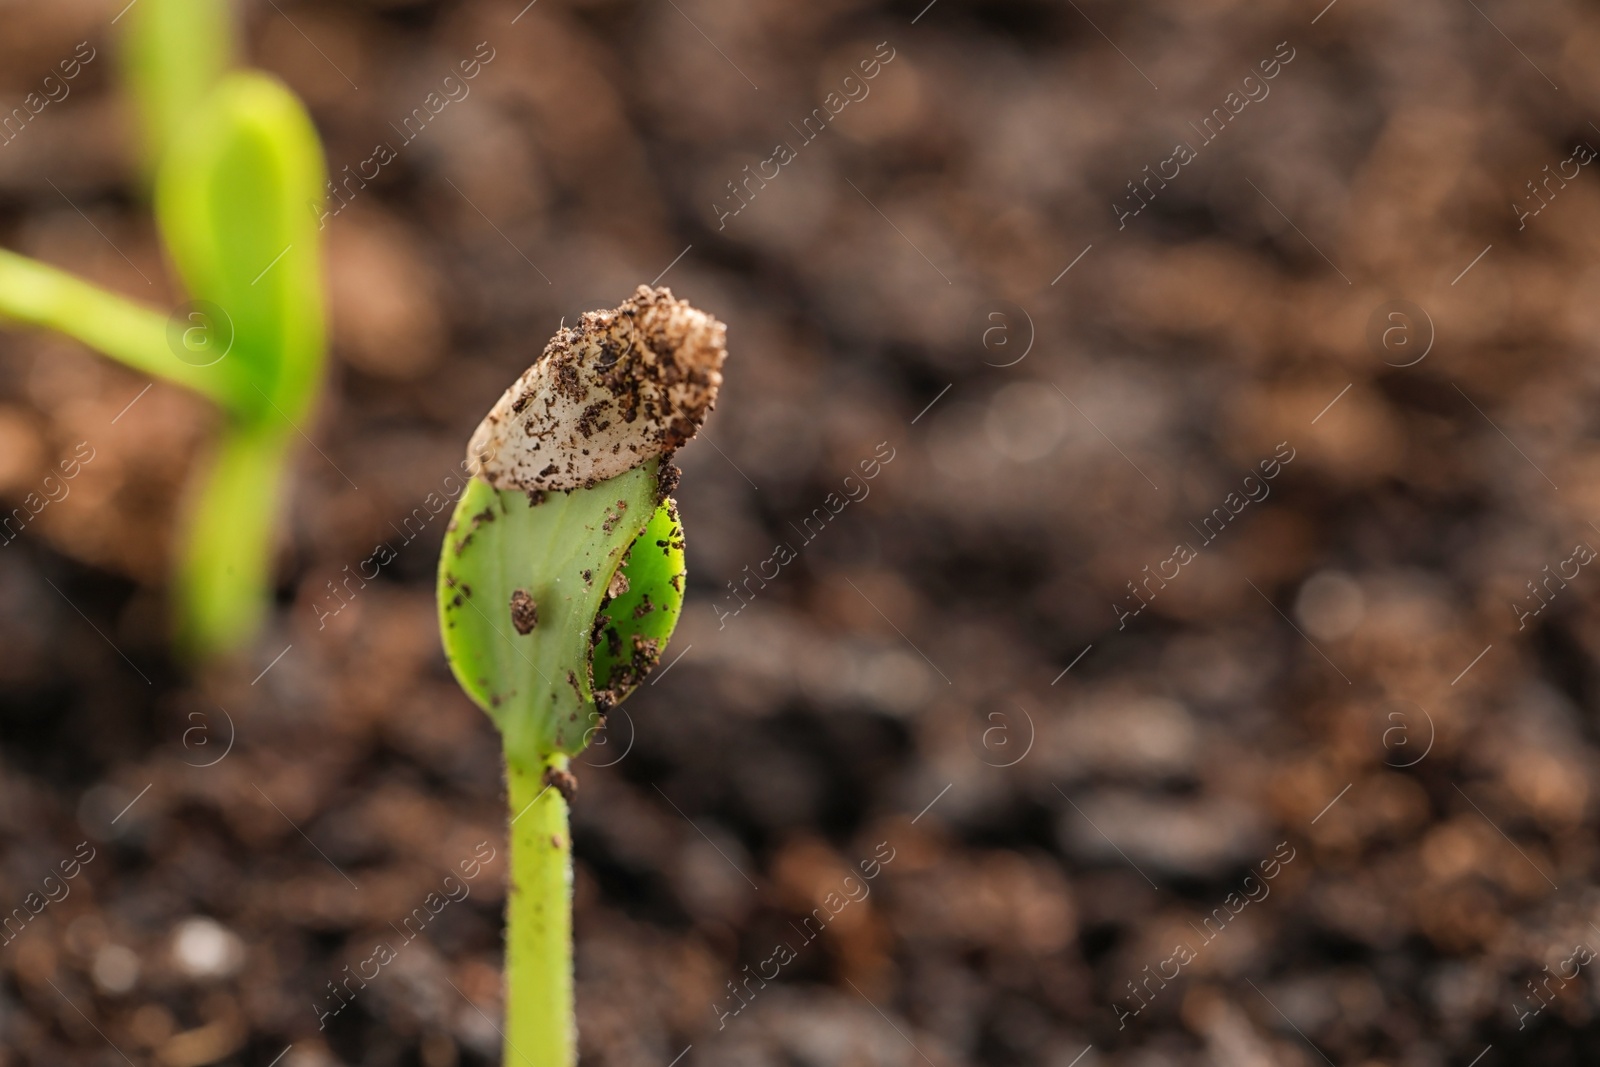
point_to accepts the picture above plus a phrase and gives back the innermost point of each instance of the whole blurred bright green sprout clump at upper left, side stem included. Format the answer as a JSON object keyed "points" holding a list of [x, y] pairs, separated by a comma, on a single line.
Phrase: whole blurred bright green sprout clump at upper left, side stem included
{"points": [[236, 164]]}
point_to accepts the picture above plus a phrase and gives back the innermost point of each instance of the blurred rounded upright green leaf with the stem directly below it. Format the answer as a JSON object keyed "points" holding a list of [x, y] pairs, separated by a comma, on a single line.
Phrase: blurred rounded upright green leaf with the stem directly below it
{"points": [[231, 201]]}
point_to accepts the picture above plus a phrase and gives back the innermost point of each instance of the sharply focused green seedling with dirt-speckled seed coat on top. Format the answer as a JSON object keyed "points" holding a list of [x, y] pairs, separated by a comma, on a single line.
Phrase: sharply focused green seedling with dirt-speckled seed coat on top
{"points": [[559, 585]]}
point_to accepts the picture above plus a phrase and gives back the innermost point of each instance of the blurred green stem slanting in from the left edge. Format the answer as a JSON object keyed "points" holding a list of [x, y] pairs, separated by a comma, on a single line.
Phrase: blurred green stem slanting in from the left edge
{"points": [[127, 332]]}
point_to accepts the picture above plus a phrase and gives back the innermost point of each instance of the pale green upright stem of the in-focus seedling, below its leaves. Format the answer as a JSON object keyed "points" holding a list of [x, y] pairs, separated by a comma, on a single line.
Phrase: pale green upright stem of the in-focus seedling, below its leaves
{"points": [[542, 1029]]}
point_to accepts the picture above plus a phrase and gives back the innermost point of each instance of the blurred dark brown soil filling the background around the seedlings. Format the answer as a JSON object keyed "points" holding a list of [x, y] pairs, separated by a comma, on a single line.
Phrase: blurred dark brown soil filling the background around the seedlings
{"points": [[1338, 689]]}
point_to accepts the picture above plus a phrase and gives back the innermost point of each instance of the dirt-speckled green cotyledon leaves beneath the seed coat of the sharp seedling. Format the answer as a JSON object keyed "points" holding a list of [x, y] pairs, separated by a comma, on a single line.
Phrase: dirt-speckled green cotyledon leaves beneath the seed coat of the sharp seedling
{"points": [[521, 585]]}
